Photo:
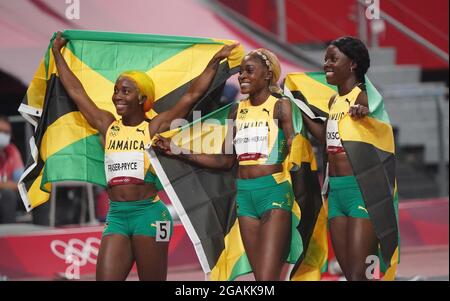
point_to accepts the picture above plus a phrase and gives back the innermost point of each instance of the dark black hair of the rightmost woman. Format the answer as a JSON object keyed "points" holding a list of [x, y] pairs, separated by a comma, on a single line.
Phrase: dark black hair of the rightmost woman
{"points": [[355, 49]]}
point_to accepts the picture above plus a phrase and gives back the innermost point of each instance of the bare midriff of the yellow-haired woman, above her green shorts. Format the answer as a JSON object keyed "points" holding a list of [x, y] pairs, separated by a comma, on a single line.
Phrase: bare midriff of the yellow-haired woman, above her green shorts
{"points": [[131, 192]]}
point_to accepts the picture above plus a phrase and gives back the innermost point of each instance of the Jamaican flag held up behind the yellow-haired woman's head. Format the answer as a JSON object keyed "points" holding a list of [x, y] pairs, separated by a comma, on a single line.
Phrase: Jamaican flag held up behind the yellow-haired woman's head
{"points": [[64, 146]]}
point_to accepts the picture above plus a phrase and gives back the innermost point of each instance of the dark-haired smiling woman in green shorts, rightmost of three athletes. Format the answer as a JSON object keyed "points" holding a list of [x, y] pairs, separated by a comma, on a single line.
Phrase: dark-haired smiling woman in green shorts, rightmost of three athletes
{"points": [[352, 233]]}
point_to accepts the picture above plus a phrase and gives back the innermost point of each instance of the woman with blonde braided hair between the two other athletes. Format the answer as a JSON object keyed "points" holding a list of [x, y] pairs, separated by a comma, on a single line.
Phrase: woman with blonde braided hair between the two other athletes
{"points": [[262, 135]]}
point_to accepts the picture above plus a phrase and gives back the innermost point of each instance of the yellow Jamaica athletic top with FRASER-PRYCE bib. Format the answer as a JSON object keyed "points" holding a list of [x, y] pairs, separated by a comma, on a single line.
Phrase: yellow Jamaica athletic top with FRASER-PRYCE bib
{"points": [[126, 159]]}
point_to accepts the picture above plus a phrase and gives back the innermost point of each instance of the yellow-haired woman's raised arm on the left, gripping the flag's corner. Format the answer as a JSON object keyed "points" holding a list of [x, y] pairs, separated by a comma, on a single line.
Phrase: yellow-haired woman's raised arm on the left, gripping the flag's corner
{"points": [[97, 118]]}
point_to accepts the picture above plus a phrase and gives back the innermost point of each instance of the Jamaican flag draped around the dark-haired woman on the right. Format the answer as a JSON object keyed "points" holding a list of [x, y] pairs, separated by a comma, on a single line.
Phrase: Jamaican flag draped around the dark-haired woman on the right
{"points": [[369, 144]]}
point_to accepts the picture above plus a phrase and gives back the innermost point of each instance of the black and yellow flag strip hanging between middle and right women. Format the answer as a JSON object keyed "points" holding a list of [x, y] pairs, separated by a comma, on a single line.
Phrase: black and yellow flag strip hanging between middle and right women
{"points": [[302, 166]]}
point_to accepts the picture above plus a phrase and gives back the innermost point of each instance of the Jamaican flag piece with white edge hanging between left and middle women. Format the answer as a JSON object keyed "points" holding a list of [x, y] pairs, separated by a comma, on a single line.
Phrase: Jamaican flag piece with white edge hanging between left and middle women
{"points": [[205, 199]]}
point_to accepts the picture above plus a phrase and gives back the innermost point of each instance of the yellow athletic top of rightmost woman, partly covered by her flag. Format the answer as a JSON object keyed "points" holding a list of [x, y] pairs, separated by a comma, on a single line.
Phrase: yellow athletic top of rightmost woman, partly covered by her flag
{"points": [[339, 108]]}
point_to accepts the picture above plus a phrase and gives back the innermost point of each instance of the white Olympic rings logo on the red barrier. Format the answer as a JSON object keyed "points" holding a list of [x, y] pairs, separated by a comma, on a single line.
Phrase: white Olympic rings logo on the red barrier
{"points": [[77, 251]]}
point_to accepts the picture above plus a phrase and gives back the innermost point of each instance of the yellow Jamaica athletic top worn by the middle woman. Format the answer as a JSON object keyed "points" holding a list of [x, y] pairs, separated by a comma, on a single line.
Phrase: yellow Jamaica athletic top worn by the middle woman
{"points": [[259, 140]]}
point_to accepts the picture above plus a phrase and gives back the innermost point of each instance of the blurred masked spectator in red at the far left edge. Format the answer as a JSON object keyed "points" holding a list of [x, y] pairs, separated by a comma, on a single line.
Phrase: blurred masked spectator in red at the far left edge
{"points": [[11, 168]]}
